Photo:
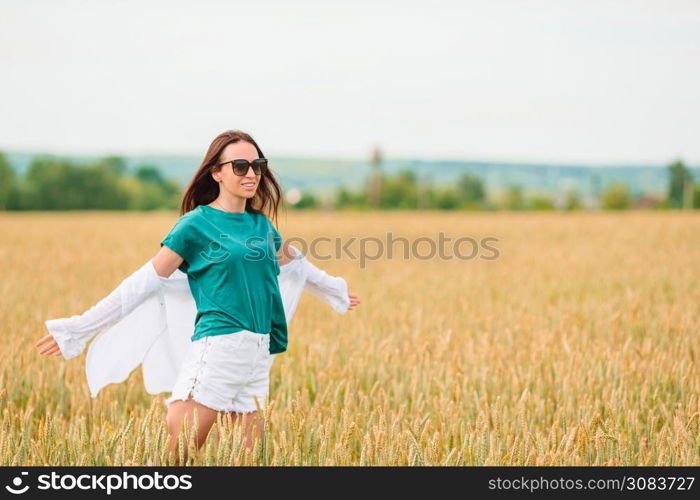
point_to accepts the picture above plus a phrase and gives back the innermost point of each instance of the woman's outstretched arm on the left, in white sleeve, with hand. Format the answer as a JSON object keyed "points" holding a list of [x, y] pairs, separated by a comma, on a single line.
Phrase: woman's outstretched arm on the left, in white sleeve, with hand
{"points": [[68, 336]]}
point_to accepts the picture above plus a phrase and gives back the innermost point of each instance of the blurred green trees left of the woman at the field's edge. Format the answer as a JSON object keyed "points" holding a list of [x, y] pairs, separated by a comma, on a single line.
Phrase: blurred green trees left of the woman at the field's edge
{"points": [[55, 184]]}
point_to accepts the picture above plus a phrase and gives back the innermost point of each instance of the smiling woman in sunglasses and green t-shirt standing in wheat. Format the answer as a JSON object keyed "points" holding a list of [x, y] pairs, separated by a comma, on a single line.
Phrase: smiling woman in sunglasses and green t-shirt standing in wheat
{"points": [[223, 241]]}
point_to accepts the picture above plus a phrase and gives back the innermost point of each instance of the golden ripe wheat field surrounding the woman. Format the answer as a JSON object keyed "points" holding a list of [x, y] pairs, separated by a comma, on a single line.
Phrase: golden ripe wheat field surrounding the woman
{"points": [[578, 345]]}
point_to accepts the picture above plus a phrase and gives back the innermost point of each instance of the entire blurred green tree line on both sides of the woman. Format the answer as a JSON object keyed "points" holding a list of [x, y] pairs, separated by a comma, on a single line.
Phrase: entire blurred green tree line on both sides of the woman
{"points": [[52, 183]]}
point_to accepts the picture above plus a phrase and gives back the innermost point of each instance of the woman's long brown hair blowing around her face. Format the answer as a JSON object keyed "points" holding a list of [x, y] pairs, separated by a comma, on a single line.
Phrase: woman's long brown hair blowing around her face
{"points": [[203, 189]]}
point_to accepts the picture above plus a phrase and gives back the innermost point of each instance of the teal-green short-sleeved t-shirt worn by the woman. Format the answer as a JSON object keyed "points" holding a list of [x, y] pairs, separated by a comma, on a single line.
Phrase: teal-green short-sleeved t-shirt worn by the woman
{"points": [[232, 272]]}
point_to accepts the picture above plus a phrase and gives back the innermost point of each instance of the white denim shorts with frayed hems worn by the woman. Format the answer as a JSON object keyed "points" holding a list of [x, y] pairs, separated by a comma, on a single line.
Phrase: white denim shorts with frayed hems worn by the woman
{"points": [[226, 372]]}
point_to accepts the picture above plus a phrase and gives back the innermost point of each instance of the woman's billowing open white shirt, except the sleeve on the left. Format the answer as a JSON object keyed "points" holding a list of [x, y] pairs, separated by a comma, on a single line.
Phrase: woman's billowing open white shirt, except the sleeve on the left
{"points": [[156, 334]]}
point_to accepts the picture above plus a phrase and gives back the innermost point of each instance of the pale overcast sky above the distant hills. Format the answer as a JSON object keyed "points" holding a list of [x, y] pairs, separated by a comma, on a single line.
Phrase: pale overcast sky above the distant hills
{"points": [[565, 81]]}
